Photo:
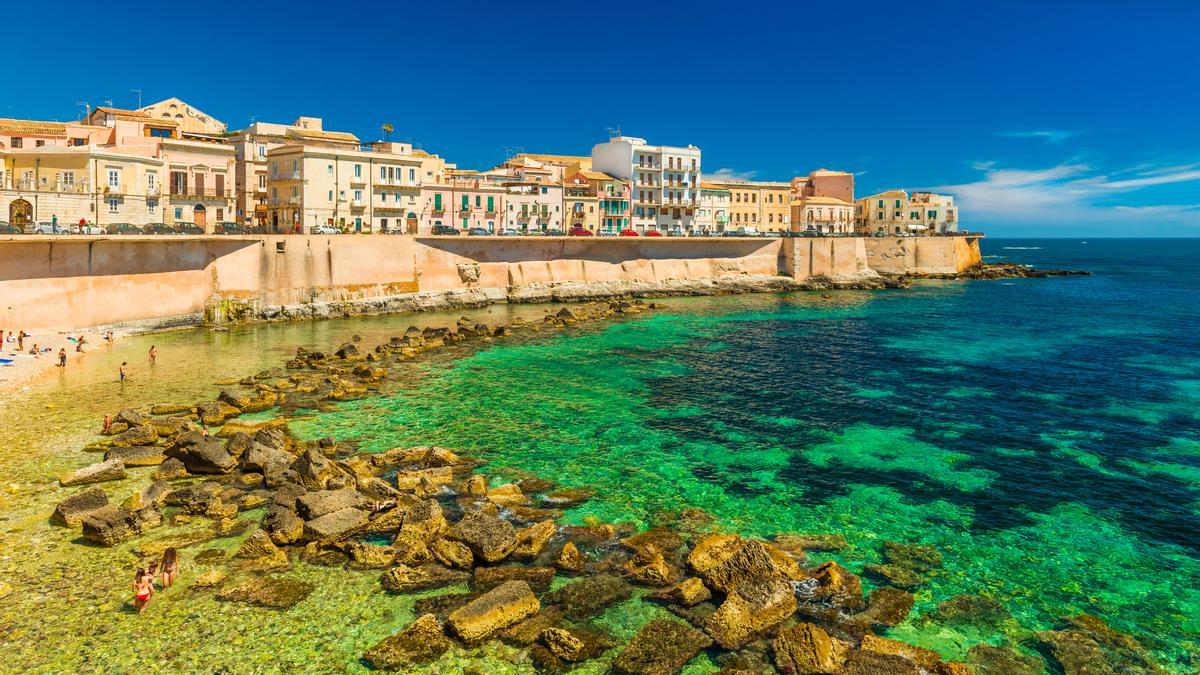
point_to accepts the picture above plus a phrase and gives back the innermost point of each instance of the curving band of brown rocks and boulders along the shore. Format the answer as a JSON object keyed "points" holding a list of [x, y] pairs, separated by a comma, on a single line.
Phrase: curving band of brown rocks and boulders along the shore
{"points": [[427, 518]]}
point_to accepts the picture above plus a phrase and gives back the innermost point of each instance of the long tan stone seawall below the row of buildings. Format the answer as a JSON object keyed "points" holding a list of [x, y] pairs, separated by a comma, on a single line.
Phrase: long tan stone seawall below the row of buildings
{"points": [[71, 283]]}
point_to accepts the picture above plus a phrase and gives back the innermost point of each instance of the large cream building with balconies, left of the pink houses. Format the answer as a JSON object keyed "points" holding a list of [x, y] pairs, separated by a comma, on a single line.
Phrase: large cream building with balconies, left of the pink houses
{"points": [[370, 189]]}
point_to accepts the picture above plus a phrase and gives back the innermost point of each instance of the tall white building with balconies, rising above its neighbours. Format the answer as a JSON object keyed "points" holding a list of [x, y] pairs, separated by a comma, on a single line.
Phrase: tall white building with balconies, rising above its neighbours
{"points": [[665, 181]]}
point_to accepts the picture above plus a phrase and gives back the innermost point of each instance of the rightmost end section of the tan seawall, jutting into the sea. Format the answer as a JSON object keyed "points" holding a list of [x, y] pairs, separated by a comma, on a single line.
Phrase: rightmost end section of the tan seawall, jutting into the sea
{"points": [[922, 255]]}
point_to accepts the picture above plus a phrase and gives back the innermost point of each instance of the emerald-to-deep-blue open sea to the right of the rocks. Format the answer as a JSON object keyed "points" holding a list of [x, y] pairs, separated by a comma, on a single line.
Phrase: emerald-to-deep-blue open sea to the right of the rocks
{"points": [[1042, 434]]}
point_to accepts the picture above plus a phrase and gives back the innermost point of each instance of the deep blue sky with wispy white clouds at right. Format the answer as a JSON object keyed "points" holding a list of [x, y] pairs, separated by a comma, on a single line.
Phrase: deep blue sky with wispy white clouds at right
{"points": [[1043, 118]]}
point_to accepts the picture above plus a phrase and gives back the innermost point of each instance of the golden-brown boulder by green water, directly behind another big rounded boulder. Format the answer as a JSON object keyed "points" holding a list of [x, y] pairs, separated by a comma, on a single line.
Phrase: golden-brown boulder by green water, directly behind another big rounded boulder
{"points": [[727, 561]]}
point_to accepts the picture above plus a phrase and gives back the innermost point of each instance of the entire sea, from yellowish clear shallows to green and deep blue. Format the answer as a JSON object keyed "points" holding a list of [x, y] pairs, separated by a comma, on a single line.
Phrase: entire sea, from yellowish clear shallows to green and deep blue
{"points": [[1042, 434]]}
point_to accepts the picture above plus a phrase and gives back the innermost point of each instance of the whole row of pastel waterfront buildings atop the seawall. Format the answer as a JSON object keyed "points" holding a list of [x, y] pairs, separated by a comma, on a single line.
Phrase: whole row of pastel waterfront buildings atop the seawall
{"points": [[171, 163]]}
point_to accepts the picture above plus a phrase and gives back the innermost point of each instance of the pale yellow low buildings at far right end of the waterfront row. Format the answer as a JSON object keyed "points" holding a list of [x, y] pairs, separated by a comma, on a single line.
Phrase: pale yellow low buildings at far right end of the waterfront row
{"points": [[897, 212]]}
